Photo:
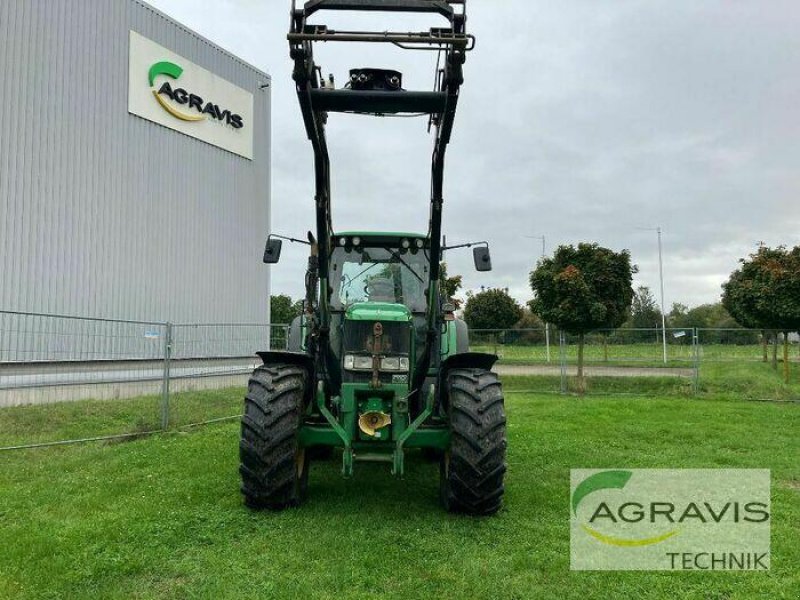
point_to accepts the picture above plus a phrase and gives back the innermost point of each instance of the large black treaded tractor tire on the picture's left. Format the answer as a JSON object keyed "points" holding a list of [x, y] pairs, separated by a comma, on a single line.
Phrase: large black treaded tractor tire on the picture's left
{"points": [[273, 467]]}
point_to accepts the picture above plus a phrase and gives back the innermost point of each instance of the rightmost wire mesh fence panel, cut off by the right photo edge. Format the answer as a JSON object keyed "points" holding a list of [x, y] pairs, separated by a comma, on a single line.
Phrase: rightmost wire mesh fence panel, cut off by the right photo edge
{"points": [[744, 364]]}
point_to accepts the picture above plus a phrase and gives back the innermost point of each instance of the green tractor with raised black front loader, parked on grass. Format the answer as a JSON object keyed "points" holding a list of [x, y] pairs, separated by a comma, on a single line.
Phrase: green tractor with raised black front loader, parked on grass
{"points": [[378, 366]]}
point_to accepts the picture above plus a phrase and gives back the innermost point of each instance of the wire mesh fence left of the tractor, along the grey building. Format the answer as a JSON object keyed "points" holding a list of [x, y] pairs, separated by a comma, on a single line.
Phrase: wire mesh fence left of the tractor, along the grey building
{"points": [[68, 374]]}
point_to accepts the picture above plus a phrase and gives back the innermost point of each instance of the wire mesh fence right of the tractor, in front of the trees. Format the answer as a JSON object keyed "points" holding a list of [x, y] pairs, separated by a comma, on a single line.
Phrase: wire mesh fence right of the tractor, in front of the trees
{"points": [[723, 363]]}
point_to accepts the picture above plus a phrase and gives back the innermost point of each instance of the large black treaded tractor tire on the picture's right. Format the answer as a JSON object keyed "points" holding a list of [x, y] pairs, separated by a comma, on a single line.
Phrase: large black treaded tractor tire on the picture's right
{"points": [[472, 470]]}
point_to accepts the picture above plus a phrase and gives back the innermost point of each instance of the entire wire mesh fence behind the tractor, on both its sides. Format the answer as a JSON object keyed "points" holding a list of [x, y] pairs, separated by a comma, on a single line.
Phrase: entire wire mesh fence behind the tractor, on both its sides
{"points": [[65, 378]]}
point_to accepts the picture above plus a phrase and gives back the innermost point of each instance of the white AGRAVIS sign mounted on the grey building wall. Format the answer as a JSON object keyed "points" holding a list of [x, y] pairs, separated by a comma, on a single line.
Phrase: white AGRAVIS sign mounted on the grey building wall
{"points": [[174, 92]]}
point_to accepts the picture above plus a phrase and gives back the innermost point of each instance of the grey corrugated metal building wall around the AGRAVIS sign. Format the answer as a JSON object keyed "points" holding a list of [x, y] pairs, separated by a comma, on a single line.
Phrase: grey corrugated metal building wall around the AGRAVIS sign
{"points": [[103, 213]]}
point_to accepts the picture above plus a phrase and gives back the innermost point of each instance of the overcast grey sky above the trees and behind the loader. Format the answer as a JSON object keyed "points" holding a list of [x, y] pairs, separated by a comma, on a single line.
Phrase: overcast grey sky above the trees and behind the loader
{"points": [[579, 120]]}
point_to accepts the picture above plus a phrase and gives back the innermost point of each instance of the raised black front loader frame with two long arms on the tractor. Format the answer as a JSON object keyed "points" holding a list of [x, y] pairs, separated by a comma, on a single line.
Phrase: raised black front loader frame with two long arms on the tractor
{"points": [[317, 100]]}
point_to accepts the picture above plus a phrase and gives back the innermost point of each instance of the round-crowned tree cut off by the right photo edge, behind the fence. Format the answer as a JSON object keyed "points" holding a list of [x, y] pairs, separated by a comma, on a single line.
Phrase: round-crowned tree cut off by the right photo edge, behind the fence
{"points": [[765, 291]]}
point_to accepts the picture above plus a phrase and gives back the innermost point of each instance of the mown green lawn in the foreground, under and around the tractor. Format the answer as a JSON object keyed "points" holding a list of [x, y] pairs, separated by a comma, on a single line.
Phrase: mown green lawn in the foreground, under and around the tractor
{"points": [[161, 517]]}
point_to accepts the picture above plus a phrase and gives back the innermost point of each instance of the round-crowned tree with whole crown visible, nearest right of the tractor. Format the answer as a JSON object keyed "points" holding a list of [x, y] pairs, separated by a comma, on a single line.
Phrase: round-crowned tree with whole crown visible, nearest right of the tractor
{"points": [[582, 289]]}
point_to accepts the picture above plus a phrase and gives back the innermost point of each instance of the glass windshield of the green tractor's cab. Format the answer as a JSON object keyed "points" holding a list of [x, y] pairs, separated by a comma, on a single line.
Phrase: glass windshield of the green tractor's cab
{"points": [[379, 275]]}
